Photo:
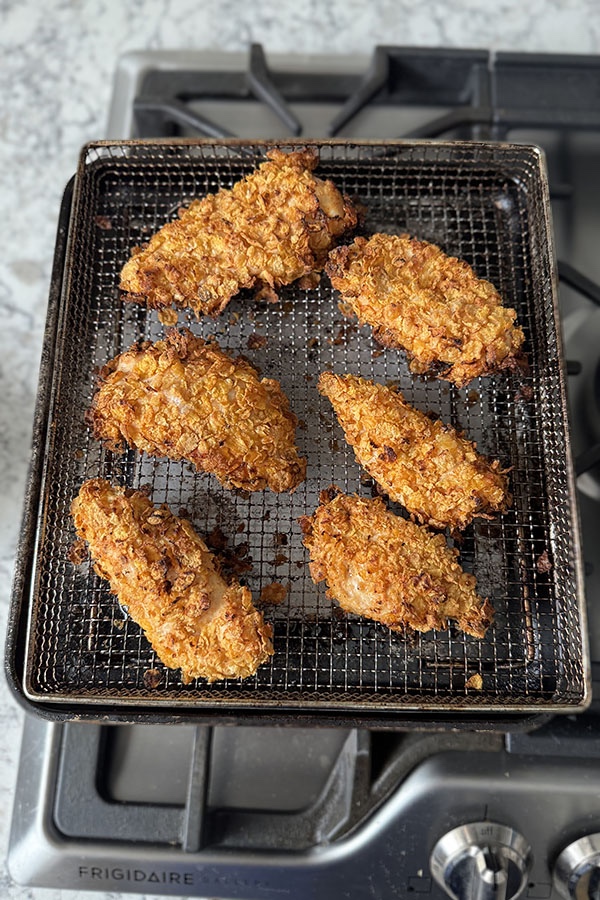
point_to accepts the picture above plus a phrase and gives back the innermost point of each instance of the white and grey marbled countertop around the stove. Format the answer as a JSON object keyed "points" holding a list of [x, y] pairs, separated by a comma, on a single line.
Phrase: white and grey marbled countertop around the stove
{"points": [[58, 60]]}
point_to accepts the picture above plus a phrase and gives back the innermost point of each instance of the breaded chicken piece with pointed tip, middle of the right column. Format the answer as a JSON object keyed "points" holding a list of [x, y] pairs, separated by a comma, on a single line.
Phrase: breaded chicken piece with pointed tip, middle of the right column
{"points": [[425, 465]]}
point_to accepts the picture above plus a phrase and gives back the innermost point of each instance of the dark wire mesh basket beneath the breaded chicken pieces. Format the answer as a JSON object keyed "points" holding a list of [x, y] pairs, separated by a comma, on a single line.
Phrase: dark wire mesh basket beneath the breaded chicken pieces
{"points": [[484, 203]]}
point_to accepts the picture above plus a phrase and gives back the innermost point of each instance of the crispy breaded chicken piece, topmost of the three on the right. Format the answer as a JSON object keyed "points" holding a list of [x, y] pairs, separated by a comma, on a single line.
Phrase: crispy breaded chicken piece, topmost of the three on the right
{"points": [[450, 323]]}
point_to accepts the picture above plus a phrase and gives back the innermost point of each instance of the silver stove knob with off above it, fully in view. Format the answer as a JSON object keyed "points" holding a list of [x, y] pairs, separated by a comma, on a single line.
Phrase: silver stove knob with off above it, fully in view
{"points": [[481, 861]]}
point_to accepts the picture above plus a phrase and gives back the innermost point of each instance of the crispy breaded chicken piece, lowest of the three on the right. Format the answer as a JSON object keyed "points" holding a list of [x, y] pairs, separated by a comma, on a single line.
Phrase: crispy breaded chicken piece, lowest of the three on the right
{"points": [[391, 570]]}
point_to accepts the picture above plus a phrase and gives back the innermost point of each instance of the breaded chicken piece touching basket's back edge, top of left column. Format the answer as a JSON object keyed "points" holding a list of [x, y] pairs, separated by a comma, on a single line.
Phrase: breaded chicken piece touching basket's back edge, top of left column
{"points": [[271, 228]]}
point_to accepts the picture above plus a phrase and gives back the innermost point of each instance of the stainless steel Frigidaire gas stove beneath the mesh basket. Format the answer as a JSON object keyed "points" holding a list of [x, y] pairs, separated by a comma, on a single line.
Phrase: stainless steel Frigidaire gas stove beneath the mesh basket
{"points": [[501, 810]]}
